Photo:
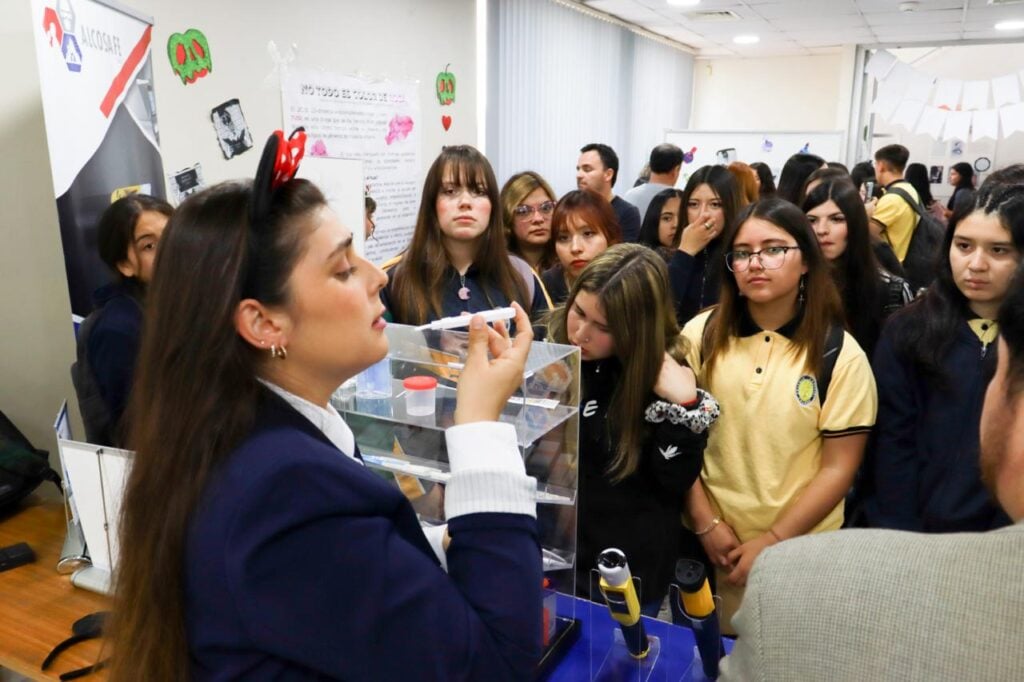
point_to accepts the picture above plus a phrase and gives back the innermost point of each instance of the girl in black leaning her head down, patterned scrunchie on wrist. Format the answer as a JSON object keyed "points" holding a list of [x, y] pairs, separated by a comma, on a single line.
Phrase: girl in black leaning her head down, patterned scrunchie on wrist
{"points": [[644, 423]]}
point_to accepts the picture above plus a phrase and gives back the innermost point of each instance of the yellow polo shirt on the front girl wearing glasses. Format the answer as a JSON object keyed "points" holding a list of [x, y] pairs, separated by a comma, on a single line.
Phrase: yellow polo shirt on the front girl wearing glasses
{"points": [[766, 447]]}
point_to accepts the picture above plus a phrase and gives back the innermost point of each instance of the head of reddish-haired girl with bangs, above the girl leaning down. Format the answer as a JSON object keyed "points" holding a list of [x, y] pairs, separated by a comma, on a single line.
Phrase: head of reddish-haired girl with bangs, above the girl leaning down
{"points": [[583, 226]]}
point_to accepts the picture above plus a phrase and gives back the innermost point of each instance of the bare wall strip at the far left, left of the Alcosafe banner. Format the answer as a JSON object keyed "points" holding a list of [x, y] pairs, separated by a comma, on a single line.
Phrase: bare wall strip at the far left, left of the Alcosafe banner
{"points": [[37, 347]]}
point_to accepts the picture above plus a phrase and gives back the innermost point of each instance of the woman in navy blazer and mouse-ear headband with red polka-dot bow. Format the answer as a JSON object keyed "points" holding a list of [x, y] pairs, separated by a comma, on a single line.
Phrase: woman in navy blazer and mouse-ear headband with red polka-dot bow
{"points": [[254, 542]]}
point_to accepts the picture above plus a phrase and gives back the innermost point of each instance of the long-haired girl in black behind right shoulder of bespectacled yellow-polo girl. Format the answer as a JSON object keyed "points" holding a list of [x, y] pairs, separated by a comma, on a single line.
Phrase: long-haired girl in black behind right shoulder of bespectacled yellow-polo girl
{"points": [[870, 294]]}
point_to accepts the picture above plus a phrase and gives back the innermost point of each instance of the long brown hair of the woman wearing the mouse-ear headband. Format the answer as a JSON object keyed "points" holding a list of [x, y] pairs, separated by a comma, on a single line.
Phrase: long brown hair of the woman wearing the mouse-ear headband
{"points": [[194, 401]]}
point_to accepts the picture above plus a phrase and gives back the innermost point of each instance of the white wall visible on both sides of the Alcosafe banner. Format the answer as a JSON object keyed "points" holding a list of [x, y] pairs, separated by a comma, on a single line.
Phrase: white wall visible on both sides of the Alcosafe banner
{"points": [[399, 39]]}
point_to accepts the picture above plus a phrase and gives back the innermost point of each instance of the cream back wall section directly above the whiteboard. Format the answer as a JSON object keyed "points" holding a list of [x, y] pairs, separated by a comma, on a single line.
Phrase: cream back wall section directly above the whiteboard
{"points": [[774, 94]]}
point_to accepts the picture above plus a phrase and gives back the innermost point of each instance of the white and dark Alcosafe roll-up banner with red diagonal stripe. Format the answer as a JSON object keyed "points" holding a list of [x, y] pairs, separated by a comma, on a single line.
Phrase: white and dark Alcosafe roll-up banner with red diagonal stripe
{"points": [[96, 74]]}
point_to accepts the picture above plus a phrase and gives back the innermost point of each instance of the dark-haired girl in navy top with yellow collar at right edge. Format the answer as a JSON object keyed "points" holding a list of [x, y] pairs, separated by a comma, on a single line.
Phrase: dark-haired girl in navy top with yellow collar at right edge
{"points": [[933, 363]]}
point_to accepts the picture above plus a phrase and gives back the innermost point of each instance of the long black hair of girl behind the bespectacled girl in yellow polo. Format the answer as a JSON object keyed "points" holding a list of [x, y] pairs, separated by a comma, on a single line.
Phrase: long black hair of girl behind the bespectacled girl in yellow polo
{"points": [[857, 271]]}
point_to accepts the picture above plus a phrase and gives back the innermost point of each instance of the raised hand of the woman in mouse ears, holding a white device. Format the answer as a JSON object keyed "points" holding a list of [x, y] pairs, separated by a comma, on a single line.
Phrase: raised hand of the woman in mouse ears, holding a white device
{"points": [[487, 383]]}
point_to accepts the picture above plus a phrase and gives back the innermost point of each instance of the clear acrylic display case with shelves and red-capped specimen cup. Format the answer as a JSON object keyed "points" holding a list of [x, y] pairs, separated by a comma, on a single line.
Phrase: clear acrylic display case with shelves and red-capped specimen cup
{"points": [[411, 449]]}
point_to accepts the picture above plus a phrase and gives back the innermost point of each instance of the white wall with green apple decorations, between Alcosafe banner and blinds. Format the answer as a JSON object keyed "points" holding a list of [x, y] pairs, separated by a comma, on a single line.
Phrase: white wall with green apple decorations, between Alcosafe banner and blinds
{"points": [[398, 39]]}
